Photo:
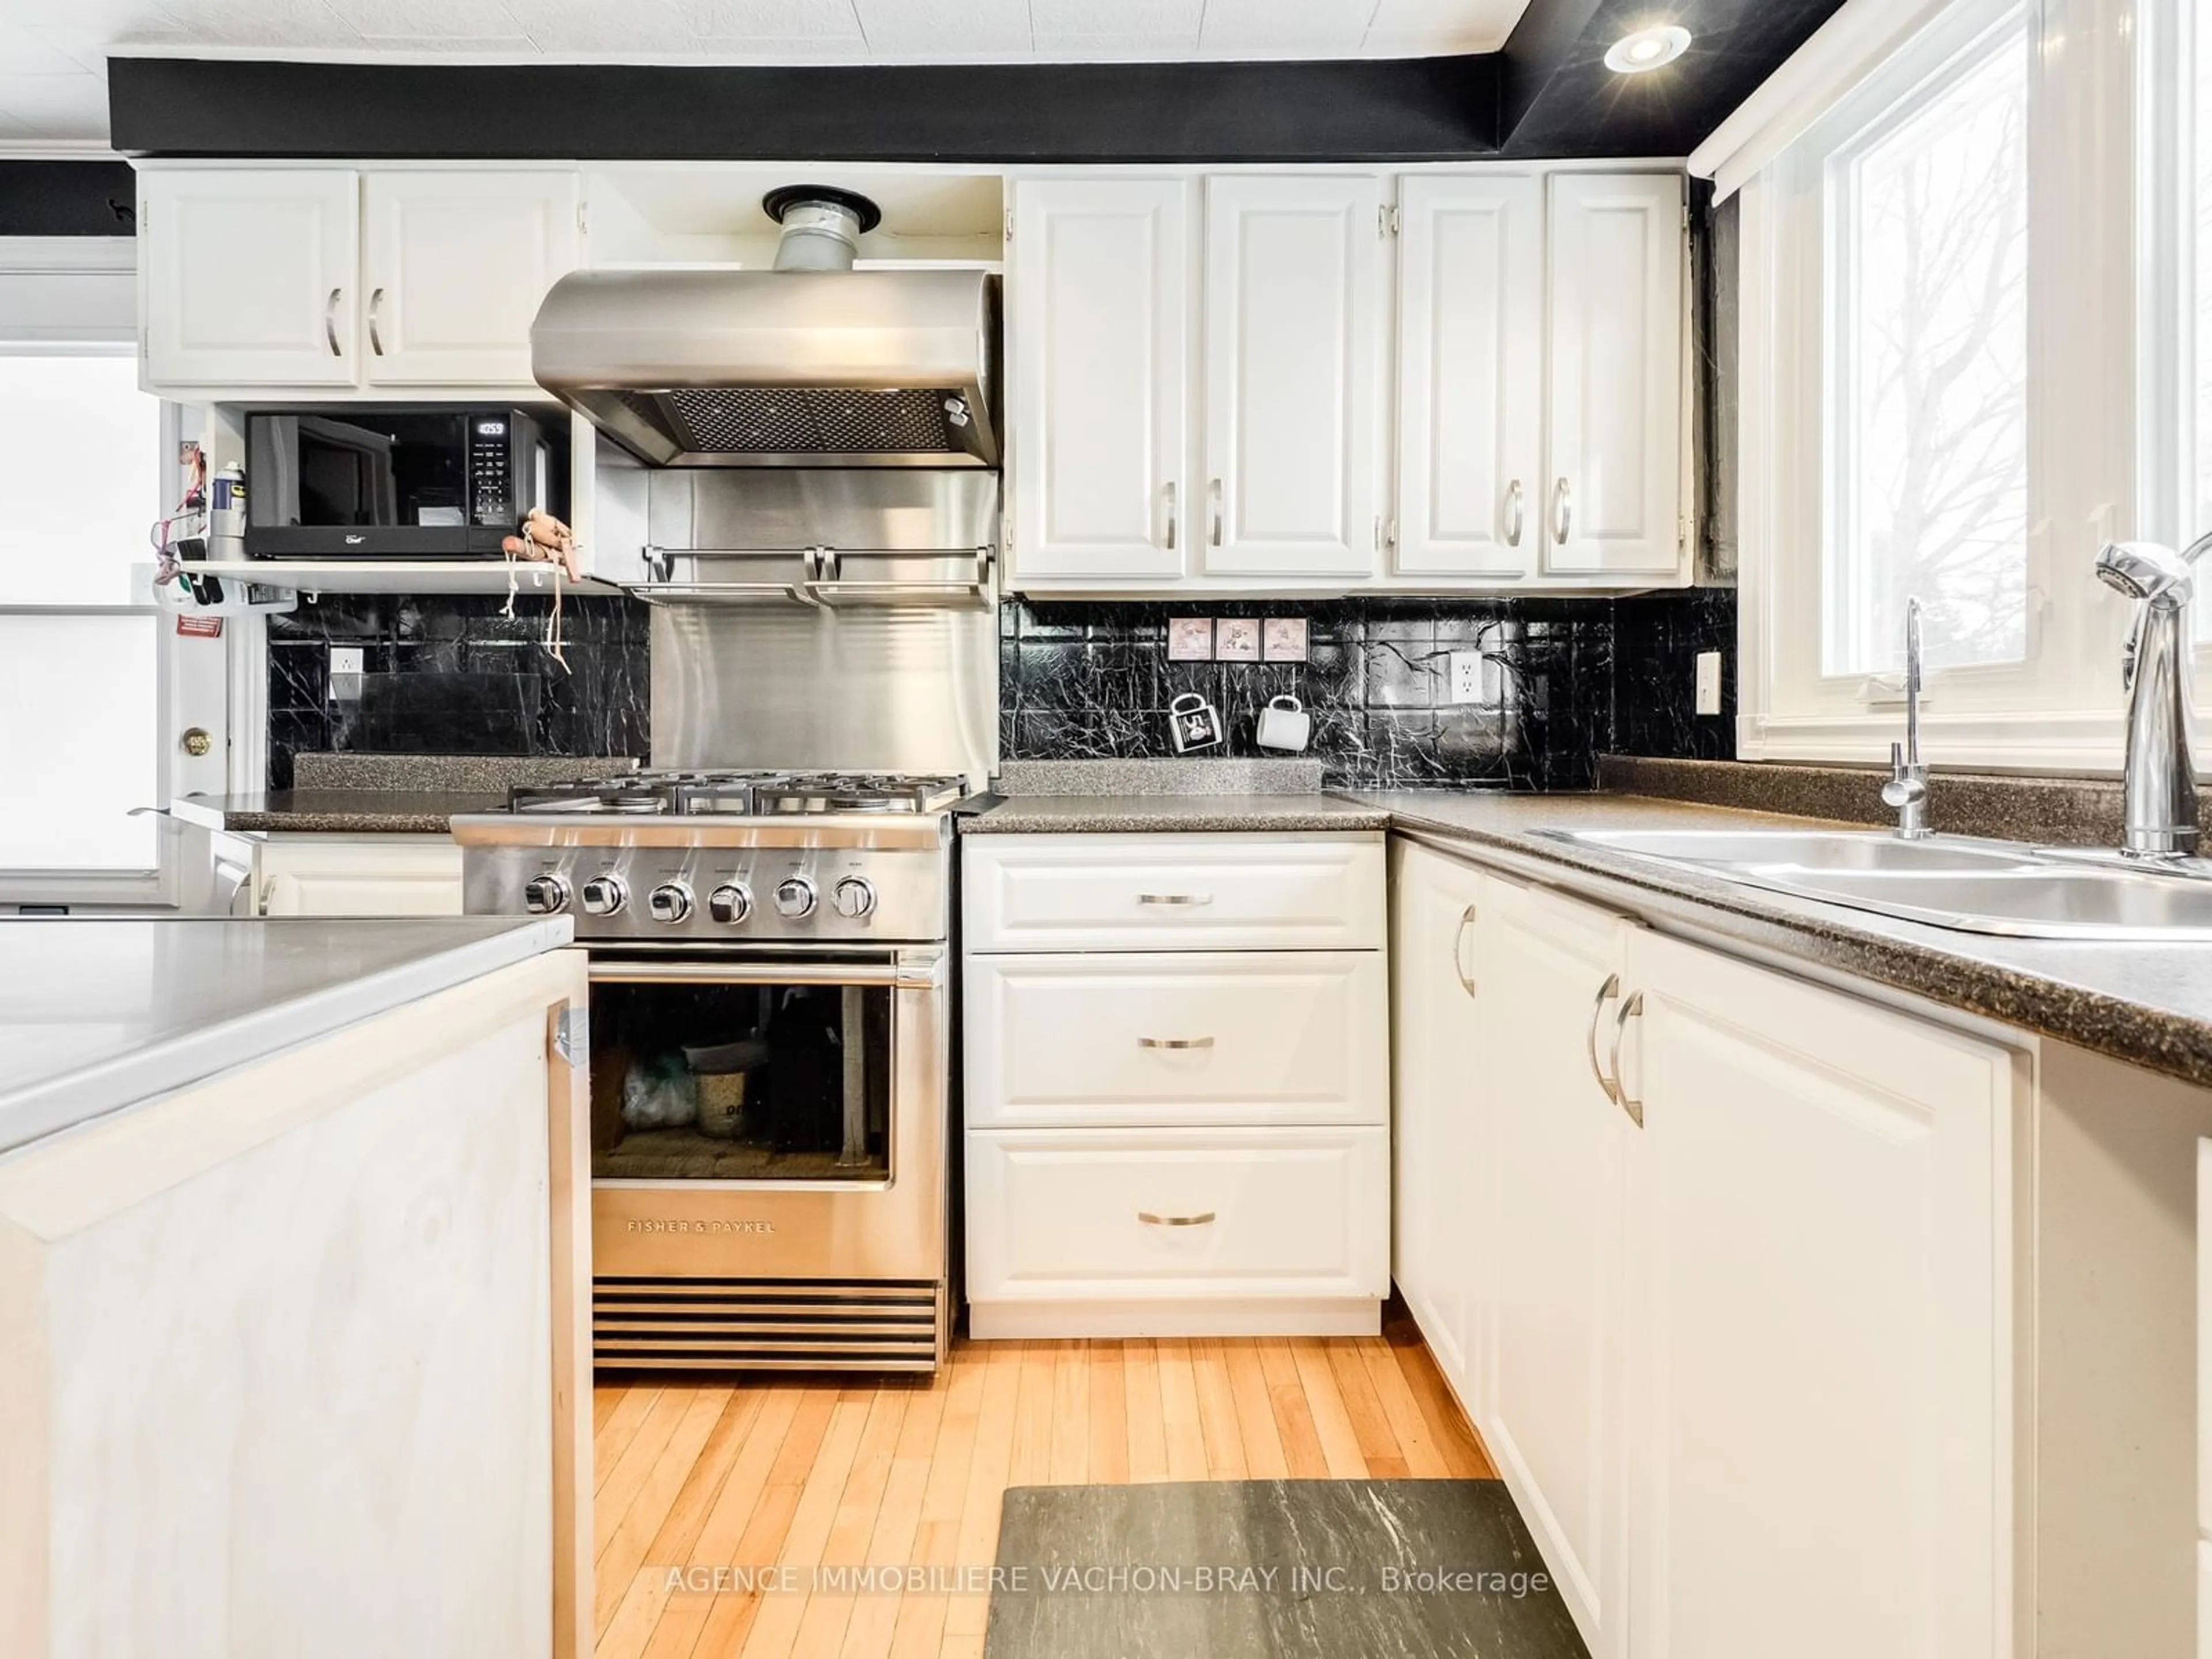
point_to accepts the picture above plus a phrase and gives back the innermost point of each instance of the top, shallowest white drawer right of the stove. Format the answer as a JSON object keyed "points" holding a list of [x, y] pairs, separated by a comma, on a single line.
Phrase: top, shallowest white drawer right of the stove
{"points": [[1173, 893]]}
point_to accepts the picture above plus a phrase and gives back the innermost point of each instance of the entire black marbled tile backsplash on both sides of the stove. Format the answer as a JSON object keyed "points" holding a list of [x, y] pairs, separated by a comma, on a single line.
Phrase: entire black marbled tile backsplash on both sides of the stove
{"points": [[1567, 680]]}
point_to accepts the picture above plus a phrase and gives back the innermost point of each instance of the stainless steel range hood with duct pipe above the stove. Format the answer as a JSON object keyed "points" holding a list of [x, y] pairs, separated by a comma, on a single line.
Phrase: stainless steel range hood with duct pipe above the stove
{"points": [[804, 366]]}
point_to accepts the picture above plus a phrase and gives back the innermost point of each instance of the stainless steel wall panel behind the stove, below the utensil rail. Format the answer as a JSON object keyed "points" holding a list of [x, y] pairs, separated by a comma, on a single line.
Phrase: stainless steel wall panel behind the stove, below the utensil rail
{"points": [[853, 689]]}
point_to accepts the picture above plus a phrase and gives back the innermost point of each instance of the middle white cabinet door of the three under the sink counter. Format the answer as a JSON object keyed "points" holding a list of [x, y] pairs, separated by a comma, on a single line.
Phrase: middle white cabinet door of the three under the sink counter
{"points": [[1558, 1244]]}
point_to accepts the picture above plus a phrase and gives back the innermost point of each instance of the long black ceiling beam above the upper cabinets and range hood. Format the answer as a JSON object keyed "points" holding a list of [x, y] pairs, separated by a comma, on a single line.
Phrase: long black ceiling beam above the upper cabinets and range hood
{"points": [[1392, 109]]}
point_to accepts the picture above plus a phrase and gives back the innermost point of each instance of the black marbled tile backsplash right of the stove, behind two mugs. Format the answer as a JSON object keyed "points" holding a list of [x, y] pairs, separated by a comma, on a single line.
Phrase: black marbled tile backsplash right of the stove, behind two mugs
{"points": [[1565, 682]]}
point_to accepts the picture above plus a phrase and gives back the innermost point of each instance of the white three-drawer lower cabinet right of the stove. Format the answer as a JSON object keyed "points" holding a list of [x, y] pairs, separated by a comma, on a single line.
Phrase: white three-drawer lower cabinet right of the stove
{"points": [[1169, 1138]]}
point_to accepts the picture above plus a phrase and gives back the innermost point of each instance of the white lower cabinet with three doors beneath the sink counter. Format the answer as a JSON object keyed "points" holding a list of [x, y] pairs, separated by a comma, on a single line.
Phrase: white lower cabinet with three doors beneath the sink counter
{"points": [[1720, 1264]]}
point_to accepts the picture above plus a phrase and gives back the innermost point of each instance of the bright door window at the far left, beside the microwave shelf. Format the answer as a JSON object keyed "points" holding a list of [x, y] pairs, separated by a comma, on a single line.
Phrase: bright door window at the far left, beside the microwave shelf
{"points": [[81, 667]]}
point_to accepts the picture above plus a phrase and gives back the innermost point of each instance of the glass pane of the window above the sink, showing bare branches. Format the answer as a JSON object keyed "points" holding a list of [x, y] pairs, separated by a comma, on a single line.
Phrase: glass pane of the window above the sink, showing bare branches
{"points": [[1930, 337]]}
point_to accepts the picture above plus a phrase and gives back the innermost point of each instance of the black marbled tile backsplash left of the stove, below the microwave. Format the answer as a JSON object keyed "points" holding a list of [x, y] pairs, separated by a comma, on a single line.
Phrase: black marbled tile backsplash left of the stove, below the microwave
{"points": [[452, 676]]}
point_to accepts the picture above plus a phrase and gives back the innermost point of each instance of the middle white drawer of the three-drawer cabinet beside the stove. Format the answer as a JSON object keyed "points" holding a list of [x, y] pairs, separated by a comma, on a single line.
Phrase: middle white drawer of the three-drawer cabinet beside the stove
{"points": [[1178, 1039]]}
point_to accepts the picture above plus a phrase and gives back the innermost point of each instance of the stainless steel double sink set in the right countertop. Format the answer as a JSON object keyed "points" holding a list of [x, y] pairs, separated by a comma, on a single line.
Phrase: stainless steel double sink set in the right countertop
{"points": [[1945, 881]]}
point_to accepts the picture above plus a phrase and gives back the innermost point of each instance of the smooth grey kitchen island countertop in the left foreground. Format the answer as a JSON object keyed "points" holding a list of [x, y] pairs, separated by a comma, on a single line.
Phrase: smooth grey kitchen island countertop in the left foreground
{"points": [[105, 1012]]}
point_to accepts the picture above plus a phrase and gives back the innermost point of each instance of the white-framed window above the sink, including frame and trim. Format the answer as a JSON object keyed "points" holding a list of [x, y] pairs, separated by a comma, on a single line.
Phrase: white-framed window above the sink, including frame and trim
{"points": [[1937, 401]]}
